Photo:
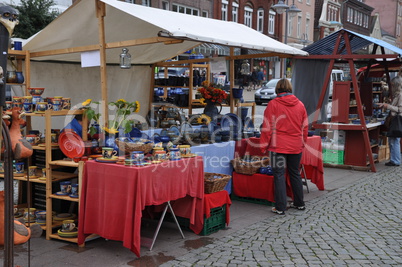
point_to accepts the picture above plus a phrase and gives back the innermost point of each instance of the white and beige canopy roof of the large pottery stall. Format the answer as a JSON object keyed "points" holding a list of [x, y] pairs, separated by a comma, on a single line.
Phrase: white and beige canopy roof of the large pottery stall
{"points": [[130, 25]]}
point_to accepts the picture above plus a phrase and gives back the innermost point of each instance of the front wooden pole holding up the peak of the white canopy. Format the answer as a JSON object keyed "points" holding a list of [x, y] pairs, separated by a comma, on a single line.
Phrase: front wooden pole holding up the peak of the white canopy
{"points": [[100, 14]]}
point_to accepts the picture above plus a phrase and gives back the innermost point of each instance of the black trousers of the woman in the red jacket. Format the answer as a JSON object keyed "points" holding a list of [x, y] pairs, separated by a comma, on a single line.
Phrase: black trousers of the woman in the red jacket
{"points": [[280, 164]]}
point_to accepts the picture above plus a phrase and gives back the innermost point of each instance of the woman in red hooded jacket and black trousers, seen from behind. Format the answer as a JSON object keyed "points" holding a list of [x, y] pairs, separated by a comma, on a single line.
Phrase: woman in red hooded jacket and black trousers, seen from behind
{"points": [[284, 133]]}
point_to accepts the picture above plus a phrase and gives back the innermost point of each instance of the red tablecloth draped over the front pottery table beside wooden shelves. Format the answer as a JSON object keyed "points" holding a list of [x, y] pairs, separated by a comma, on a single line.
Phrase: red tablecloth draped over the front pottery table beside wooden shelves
{"points": [[113, 197]]}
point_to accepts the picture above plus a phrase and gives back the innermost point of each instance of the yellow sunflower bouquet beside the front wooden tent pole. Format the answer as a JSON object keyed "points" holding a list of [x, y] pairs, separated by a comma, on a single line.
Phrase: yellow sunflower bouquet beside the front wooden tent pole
{"points": [[123, 110]]}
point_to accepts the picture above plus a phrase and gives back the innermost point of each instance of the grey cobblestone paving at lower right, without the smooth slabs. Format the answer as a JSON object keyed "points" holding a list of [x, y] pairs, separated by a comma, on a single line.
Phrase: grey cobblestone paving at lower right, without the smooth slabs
{"points": [[356, 225]]}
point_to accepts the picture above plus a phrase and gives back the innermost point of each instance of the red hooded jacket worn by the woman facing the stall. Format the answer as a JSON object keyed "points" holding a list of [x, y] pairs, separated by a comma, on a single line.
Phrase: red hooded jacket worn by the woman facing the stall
{"points": [[285, 126]]}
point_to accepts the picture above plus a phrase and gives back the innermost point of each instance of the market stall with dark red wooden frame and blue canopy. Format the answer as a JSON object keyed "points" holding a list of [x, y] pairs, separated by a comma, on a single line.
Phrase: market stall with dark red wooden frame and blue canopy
{"points": [[355, 120]]}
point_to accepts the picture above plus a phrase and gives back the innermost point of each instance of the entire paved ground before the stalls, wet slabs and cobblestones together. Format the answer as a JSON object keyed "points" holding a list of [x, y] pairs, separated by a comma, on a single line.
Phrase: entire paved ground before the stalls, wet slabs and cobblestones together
{"points": [[356, 221]]}
